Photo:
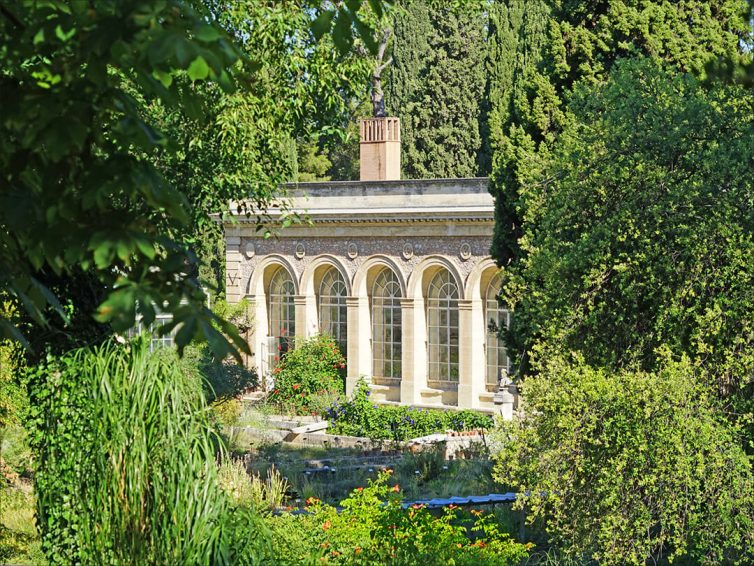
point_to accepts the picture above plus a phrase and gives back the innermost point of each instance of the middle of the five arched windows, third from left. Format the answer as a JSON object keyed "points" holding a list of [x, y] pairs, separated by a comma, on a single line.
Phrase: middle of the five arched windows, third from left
{"points": [[386, 325]]}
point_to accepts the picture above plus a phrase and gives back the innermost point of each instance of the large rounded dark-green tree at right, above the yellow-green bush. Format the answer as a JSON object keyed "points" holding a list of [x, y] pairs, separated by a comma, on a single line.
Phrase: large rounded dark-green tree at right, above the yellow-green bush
{"points": [[645, 237]]}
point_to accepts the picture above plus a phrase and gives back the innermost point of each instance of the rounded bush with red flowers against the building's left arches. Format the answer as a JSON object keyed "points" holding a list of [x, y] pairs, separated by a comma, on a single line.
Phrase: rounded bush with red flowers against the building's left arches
{"points": [[313, 368]]}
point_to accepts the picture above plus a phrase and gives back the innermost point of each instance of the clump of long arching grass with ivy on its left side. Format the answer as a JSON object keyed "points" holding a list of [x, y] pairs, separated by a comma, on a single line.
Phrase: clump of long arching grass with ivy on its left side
{"points": [[125, 458]]}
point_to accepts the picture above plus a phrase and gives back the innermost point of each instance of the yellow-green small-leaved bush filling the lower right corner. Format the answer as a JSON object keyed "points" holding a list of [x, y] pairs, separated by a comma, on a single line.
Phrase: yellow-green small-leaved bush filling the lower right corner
{"points": [[630, 466]]}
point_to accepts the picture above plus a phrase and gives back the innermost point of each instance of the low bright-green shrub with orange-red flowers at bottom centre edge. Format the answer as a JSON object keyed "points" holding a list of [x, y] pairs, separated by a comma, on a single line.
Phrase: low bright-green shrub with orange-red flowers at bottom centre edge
{"points": [[372, 527]]}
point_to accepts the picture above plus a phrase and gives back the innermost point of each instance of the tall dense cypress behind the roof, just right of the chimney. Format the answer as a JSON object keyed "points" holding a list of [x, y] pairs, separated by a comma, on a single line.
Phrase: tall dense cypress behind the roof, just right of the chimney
{"points": [[436, 87]]}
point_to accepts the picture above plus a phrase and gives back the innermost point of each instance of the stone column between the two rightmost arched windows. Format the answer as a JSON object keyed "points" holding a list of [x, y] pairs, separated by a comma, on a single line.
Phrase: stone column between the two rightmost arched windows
{"points": [[472, 366]]}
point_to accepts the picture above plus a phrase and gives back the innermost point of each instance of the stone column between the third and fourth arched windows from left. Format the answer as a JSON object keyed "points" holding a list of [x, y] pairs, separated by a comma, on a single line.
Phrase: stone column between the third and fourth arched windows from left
{"points": [[414, 362]]}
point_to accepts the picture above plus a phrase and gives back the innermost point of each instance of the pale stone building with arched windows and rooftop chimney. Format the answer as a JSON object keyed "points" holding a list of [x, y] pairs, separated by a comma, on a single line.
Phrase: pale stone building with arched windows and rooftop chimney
{"points": [[398, 272]]}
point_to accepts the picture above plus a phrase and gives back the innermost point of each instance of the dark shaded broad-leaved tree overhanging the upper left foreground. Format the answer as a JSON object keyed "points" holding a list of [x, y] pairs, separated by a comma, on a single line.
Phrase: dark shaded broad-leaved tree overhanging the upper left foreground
{"points": [[81, 187]]}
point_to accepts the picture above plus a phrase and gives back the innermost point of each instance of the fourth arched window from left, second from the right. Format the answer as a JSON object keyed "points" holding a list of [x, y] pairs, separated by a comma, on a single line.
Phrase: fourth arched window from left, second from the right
{"points": [[442, 327]]}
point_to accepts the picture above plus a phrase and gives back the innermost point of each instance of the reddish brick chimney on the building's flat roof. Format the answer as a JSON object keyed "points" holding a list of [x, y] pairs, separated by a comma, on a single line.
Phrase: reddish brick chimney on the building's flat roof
{"points": [[380, 149]]}
